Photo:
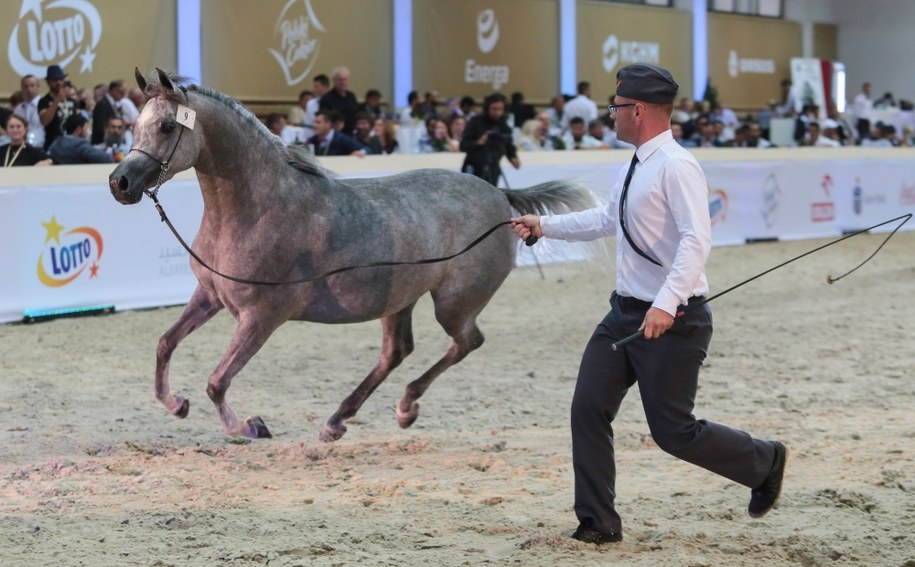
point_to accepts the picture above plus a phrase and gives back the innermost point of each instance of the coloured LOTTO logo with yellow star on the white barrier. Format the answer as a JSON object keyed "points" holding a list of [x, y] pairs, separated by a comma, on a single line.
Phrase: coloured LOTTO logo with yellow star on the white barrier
{"points": [[68, 254]]}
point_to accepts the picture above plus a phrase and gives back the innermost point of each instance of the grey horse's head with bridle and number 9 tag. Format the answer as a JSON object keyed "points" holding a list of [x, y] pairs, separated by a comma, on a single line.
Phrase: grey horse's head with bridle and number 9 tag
{"points": [[164, 142]]}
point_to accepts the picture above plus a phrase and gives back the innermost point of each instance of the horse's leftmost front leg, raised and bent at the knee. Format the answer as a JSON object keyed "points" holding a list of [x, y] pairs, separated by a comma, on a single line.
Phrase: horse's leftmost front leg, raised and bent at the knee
{"points": [[198, 311]]}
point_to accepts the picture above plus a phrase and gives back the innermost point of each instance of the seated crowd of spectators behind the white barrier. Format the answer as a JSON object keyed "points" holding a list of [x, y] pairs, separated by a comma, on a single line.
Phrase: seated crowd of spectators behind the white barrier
{"points": [[68, 125]]}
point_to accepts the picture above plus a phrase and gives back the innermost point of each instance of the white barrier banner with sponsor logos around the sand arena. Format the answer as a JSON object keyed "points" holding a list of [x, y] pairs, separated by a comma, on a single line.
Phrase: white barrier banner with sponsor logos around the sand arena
{"points": [[72, 246]]}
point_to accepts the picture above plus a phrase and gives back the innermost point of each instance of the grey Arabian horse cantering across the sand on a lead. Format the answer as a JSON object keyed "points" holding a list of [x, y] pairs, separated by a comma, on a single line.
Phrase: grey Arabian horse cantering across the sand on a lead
{"points": [[273, 213]]}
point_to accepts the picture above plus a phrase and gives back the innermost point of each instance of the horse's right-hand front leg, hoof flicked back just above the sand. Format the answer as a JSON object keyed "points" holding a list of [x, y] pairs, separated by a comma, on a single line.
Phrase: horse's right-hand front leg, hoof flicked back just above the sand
{"points": [[250, 336]]}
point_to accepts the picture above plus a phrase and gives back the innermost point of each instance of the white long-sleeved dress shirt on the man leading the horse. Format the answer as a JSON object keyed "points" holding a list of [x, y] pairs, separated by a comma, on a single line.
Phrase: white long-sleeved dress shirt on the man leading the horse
{"points": [[667, 217]]}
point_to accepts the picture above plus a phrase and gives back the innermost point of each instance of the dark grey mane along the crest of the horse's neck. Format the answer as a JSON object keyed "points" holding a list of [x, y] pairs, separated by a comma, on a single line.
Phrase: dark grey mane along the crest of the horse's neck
{"points": [[296, 156]]}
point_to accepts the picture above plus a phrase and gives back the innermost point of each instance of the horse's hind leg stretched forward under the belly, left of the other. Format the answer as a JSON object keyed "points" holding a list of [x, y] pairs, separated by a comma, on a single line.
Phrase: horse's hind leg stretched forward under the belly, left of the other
{"points": [[397, 343]]}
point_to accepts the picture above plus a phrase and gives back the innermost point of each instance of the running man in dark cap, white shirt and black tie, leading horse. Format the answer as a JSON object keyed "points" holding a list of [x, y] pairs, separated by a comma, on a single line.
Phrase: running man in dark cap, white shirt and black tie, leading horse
{"points": [[659, 214]]}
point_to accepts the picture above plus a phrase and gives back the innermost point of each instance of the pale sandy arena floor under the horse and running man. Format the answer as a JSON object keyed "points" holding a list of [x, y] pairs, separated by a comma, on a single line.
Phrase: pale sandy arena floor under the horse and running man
{"points": [[93, 471]]}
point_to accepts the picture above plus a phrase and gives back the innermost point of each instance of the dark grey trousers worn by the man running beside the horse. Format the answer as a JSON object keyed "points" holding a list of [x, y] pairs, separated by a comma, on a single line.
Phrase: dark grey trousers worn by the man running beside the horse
{"points": [[667, 372]]}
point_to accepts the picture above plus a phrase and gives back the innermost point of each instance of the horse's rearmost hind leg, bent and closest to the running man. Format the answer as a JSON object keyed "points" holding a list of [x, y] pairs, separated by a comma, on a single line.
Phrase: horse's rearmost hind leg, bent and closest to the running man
{"points": [[467, 337]]}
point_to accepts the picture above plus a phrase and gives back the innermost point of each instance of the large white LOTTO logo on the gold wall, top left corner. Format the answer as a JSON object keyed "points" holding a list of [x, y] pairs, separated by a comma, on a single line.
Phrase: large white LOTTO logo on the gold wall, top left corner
{"points": [[53, 34]]}
